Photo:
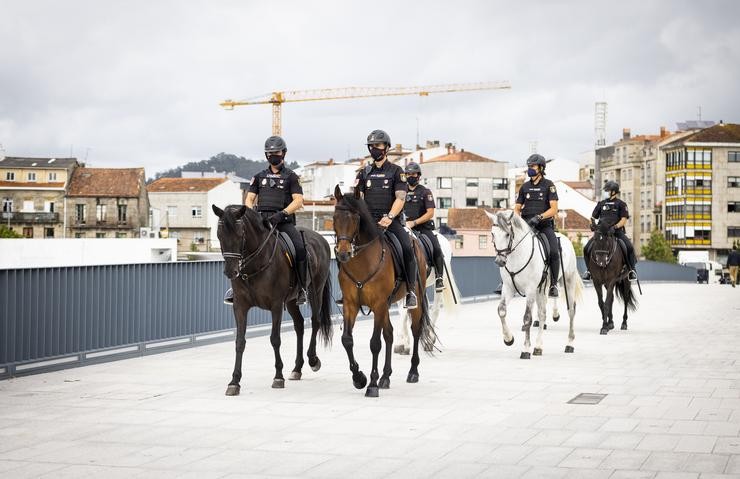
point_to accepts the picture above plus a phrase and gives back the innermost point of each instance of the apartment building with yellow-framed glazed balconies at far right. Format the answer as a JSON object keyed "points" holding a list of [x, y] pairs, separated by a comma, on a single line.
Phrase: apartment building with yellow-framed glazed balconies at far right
{"points": [[702, 190]]}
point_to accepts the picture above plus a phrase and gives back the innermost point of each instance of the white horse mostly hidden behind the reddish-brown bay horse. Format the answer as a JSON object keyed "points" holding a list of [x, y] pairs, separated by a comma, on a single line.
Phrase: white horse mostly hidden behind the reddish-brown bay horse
{"points": [[450, 297]]}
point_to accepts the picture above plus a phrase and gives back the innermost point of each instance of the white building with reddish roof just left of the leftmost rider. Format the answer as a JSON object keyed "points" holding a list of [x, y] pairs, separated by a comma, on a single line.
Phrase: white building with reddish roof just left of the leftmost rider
{"points": [[181, 208]]}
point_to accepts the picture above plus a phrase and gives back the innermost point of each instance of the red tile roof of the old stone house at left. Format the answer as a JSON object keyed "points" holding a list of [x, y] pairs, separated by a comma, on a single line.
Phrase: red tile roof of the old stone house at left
{"points": [[111, 182]]}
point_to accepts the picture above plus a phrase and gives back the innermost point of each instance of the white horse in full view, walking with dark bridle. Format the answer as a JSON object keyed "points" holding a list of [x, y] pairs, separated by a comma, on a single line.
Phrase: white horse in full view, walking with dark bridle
{"points": [[522, 260]]}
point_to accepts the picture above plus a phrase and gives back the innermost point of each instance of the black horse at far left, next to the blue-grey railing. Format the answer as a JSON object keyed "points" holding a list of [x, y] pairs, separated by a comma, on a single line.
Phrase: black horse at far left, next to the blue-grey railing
{"points": [[262, 276]]}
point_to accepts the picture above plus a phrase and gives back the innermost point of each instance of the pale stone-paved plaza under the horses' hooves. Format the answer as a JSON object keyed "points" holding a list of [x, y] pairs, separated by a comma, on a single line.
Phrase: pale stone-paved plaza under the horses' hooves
{"points": [[672, 407]]}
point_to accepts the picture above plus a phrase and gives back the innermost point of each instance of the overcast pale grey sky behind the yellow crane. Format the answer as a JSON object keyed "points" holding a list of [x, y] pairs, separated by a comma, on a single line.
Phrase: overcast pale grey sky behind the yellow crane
{"points": [[137, 83]]}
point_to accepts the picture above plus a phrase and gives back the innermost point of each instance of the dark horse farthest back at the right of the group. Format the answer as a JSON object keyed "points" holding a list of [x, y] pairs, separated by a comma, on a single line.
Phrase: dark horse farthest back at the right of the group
{"points": [[606, 263]]}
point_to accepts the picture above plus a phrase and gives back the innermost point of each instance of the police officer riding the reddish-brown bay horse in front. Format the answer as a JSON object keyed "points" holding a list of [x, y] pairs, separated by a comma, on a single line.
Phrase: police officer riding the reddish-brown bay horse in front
{"points": [[384, 189]]}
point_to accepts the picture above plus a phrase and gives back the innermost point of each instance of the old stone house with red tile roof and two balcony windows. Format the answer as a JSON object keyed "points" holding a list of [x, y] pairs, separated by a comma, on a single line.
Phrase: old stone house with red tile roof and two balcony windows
{"points": [[107, 203]]}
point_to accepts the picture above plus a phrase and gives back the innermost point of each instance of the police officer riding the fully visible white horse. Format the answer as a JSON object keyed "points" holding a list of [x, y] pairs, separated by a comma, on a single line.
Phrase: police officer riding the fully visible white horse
{"points": [[537, 203]]}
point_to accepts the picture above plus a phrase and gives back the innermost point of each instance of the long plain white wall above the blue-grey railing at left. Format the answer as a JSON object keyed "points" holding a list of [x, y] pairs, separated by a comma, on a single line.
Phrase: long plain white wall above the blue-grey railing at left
{"points": [[36, 253]]}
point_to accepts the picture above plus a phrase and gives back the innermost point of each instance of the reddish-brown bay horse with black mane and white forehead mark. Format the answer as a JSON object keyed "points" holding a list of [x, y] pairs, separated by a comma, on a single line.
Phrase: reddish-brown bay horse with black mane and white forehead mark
{"points": [[367, 278]]}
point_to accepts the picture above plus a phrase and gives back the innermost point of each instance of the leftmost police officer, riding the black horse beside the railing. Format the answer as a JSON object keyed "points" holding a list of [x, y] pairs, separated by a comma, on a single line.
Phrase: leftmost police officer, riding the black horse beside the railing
{"points": [[278, 195]]}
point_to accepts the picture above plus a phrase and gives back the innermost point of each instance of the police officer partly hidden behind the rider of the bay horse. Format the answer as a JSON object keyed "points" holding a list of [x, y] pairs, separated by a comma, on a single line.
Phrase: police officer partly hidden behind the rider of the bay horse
{"points": [[419, 211]]}
